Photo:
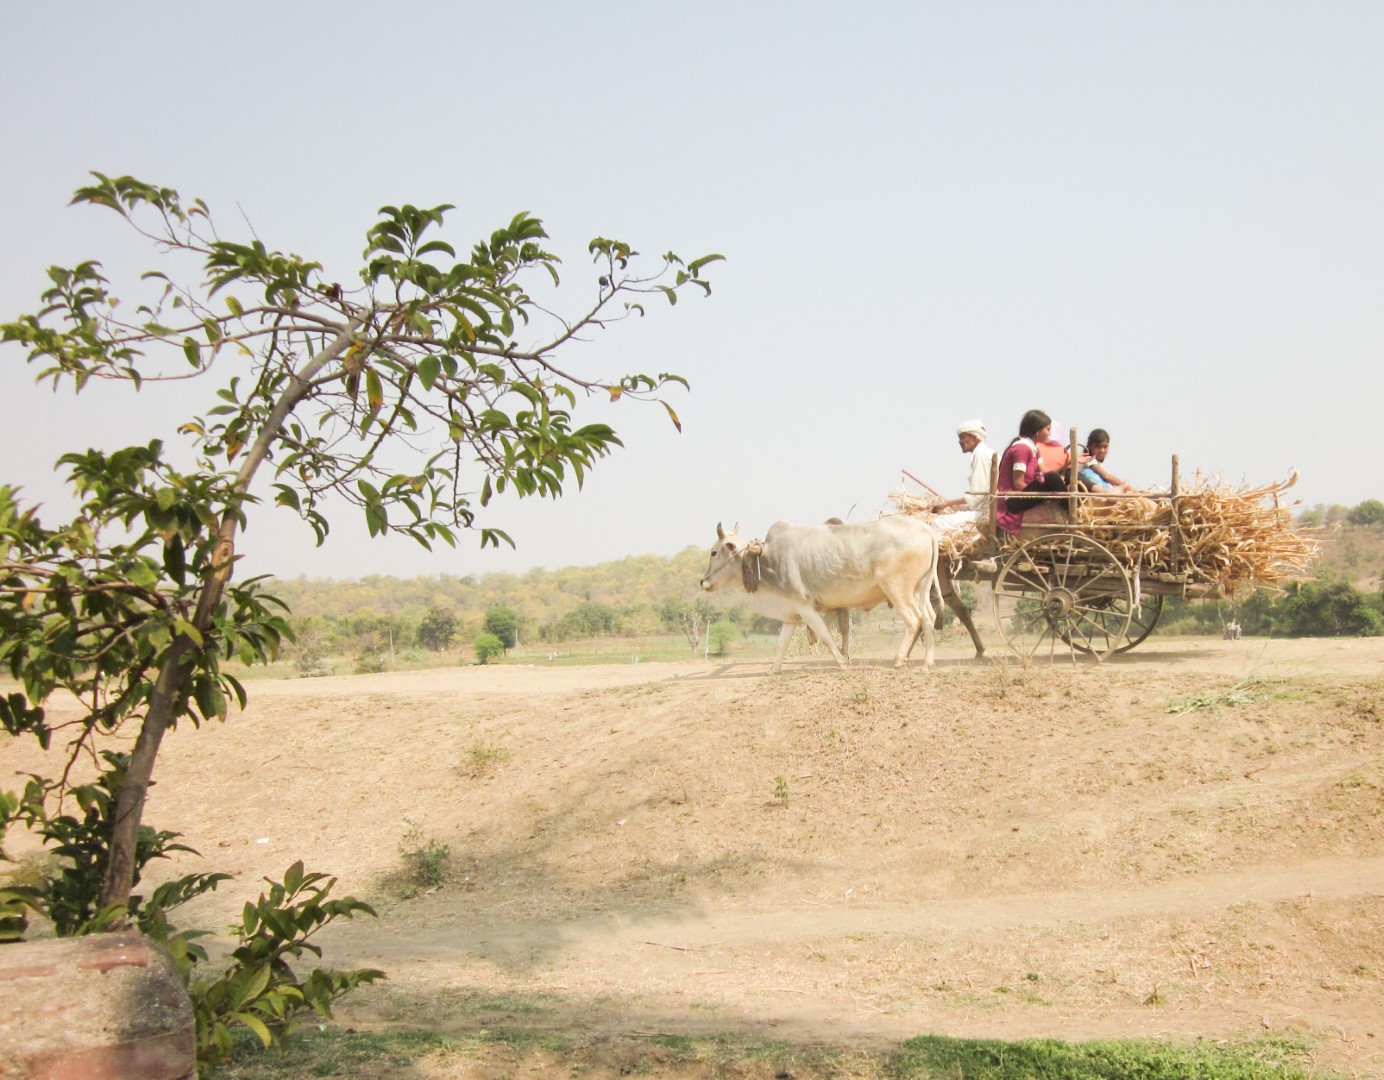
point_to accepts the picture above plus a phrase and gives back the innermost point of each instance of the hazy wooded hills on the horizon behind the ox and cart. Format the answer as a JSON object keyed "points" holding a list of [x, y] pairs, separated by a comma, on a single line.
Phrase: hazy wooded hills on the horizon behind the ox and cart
{"points": [[646, 596]]}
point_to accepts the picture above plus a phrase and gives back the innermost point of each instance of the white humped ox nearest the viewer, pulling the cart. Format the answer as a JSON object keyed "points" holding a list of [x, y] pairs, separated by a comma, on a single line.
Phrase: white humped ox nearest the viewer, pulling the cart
{"points": [[801, 571]]}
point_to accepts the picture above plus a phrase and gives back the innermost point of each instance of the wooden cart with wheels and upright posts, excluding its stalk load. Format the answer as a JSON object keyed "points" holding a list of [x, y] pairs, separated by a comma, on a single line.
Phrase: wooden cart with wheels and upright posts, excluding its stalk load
{"points": [[1061, 593]]}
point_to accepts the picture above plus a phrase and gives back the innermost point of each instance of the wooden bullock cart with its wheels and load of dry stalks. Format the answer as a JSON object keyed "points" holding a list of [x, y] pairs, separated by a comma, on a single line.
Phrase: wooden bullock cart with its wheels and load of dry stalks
{"points": [[1089, 574]]}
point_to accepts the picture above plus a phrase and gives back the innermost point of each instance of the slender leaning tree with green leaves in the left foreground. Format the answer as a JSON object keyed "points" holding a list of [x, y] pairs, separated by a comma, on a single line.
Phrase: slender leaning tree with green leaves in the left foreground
{"points": [[417, 394]]}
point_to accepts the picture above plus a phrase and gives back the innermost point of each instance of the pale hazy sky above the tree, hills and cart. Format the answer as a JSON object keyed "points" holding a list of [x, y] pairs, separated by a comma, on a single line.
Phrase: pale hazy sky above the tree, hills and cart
{"points": [[1158, 218]]}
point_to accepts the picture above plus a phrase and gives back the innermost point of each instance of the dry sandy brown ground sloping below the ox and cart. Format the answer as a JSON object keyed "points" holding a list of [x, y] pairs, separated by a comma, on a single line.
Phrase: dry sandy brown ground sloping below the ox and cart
{"points": [[1187, 841]]}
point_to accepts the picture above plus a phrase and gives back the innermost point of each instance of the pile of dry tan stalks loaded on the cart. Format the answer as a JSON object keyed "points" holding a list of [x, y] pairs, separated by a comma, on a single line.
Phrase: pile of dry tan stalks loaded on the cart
{"points": [[1227, 541]]}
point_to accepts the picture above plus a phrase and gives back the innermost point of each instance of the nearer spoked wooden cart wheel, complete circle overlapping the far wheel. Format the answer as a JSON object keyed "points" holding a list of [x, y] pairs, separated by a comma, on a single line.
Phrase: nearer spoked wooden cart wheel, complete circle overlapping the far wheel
{"points": [[1061, 596]]}
